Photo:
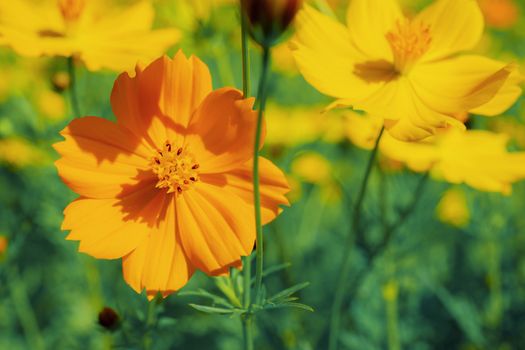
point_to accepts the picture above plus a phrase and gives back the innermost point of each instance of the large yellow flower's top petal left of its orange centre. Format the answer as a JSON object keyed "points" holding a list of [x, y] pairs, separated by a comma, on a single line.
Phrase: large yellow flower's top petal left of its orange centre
{"points": [[369, 21]]}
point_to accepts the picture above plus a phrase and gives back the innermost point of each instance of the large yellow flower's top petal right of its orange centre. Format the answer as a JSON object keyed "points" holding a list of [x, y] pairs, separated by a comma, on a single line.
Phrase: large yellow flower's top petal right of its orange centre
{"points": [[455, 25]]}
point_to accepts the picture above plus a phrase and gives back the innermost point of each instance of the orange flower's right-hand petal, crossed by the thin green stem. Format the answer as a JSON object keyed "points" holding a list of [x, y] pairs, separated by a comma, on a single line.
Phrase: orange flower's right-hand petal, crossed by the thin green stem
{"points": [[273, 186]]}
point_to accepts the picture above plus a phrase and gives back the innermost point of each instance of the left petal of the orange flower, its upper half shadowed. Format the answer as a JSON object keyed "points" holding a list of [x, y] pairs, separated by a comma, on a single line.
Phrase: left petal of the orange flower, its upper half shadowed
{"points": [[99, 158]]}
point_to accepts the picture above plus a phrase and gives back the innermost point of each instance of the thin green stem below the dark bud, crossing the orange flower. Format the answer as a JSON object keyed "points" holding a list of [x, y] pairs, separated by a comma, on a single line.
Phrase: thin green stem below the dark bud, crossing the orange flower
{"points": [[261, 96]]}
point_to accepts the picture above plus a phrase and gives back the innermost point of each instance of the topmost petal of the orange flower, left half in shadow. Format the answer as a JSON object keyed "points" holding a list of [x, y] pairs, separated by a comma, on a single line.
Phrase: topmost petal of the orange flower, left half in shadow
{"points": [[168, 89]]}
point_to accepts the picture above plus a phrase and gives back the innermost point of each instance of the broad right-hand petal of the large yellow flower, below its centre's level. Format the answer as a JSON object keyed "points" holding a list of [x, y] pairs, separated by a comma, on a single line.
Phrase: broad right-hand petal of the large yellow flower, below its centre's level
{"points": [[462, 84]]}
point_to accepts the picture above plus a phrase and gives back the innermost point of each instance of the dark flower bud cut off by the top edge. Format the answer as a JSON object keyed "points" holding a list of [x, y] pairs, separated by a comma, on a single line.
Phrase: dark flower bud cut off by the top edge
{"points": [[269, 19]]}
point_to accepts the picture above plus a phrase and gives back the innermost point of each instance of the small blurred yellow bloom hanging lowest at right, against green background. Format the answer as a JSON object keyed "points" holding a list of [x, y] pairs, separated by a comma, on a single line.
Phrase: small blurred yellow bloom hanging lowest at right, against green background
{"points": [[452, 209]]}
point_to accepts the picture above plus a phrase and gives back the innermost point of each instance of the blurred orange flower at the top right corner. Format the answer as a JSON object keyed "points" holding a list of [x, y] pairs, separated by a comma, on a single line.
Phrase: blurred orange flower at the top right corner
{"points": [[500, 14]]}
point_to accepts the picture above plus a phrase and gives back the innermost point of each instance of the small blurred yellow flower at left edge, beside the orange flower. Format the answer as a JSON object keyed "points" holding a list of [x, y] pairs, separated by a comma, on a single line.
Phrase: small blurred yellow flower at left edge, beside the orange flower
{"points": [[19, 153]]}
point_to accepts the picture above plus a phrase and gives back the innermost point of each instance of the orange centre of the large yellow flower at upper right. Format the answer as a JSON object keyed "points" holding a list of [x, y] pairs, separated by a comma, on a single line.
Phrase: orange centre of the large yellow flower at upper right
{"points": [[409, 41]]}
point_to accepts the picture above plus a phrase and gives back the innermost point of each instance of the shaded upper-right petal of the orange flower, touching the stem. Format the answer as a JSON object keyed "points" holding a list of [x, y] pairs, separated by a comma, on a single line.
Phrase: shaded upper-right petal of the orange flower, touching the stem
{"points": [[221, 132]]}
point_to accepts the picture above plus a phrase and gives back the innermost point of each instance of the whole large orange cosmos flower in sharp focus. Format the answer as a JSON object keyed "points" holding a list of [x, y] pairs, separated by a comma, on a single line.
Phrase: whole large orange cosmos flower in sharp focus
{"points": [[168, 186]]}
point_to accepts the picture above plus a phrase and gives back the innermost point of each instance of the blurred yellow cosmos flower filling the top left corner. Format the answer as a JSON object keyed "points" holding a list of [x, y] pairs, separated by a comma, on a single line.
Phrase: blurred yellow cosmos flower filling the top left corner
{"points": [[100, 33]]}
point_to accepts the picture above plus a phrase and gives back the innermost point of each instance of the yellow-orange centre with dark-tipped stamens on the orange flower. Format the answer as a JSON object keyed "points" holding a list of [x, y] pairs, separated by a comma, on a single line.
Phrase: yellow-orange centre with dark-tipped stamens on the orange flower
{"points": [[175, 168]]}
